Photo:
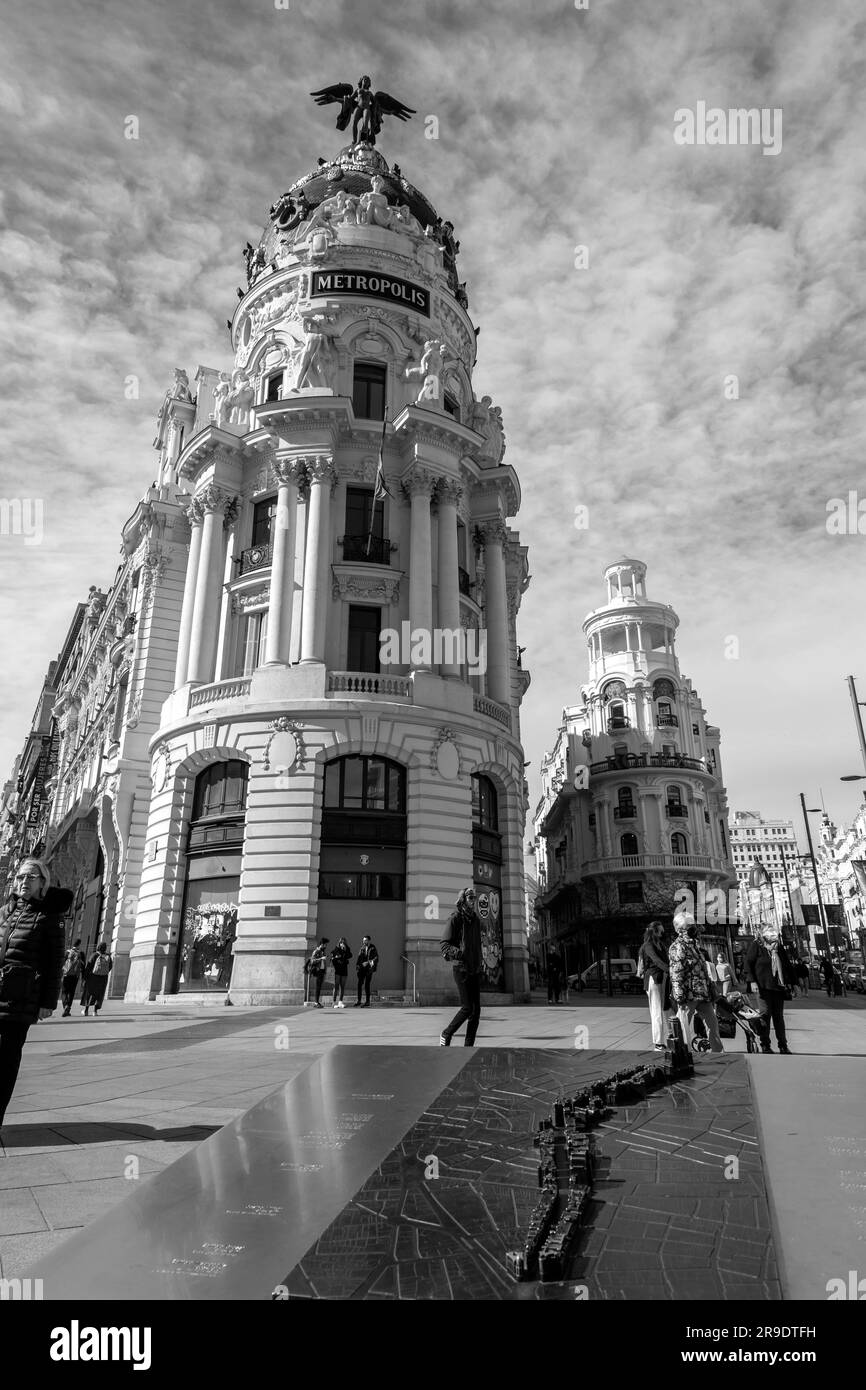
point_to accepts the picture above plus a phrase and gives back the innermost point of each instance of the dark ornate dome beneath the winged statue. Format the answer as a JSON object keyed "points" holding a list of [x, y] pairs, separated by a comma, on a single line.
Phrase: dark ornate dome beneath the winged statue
{"points": [[352, 172]]}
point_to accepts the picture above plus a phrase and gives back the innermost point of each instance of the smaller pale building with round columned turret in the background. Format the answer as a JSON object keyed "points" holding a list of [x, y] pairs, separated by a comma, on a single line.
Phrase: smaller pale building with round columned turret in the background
{"points": [[633, 806]]}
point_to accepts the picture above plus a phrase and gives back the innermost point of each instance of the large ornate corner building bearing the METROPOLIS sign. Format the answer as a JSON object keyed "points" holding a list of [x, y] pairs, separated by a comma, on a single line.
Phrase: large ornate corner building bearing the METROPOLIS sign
{"points": [[340, 484]]}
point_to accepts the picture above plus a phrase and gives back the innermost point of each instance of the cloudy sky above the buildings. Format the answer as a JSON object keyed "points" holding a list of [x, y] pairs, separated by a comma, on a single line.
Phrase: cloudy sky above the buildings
{"points": [[705, 263]]}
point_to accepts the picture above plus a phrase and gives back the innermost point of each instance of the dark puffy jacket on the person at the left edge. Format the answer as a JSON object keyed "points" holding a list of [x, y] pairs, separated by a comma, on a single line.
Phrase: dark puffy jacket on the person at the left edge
{"points": [[33, 951]]}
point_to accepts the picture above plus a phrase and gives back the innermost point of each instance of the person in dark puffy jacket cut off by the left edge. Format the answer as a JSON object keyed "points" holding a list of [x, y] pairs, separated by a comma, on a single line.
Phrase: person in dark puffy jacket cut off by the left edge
{"points": [[31, 964]]}
